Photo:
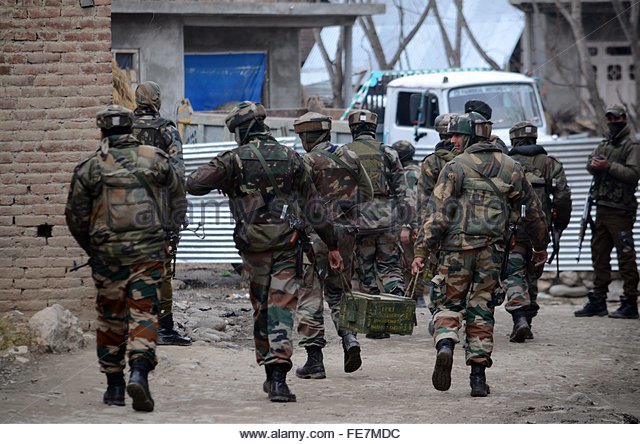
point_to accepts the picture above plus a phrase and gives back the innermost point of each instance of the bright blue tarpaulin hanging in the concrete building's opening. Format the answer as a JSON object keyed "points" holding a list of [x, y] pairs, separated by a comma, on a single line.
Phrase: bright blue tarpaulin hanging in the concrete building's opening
{"points": [[212, 80]]}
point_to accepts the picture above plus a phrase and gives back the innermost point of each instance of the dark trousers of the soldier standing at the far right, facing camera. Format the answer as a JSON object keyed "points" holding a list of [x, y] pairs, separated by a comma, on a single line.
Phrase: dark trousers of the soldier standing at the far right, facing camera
{"points": [[614, 228]]}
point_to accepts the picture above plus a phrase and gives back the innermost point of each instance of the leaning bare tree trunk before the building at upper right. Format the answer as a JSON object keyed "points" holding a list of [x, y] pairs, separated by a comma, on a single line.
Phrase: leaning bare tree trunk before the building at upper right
{"points": [[573, 16]]}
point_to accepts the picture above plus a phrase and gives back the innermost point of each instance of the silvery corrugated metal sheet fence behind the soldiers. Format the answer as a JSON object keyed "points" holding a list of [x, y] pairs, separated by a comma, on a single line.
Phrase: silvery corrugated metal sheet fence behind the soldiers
{"points": [[213, 210]]}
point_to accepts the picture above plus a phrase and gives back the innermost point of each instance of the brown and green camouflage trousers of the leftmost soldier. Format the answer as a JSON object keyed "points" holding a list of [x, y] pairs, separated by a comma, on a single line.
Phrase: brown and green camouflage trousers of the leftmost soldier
{"points": [[127, 306]]}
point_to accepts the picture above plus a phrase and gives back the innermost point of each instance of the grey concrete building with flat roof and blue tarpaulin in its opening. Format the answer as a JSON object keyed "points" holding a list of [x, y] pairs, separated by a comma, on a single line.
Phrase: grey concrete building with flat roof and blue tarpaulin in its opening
{"points": [[223, 51]]}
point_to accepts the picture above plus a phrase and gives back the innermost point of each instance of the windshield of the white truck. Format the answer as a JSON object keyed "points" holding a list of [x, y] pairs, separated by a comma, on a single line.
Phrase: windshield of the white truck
{"points": [[510, 103]]}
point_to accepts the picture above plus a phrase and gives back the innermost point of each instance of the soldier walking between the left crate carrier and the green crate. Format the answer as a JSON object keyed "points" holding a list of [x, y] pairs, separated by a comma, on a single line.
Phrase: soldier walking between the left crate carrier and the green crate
{"points": [[342, 183]]}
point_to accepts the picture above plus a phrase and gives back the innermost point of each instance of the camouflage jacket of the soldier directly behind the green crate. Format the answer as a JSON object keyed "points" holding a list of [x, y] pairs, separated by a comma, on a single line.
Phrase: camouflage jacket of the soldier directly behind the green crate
{"points": [[389, 209]]}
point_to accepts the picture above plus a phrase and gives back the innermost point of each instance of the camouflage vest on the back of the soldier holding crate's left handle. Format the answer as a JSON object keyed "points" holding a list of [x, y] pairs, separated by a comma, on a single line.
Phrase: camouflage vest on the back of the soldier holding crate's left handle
{"points": [[258, 209]]}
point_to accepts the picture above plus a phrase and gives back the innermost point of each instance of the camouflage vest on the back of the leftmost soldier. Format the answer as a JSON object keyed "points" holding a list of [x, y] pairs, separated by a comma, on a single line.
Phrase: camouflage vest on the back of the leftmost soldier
{"points": [[125, 204]]}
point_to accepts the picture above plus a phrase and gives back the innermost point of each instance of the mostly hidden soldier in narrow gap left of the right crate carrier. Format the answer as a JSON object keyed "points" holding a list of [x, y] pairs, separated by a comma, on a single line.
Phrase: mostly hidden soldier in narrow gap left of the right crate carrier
{"points": [[409, 232]]}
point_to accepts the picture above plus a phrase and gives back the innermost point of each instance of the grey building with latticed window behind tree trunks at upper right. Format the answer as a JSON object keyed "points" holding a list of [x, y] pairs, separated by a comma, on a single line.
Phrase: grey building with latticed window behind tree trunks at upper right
{"points": [[549, 53]]}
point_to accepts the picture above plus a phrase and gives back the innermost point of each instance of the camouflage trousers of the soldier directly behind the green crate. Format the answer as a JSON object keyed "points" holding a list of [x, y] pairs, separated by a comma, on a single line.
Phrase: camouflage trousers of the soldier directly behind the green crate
{"points": [[378, 258]]}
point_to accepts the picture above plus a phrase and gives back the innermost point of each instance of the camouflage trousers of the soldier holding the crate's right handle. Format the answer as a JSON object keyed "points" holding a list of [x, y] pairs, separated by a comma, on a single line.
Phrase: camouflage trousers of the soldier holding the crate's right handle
{"points": [[464, 282]]}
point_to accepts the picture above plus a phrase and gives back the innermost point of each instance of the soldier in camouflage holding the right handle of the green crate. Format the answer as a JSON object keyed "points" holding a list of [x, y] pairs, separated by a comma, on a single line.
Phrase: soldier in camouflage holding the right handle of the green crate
{"points": [[470, 207]]}
